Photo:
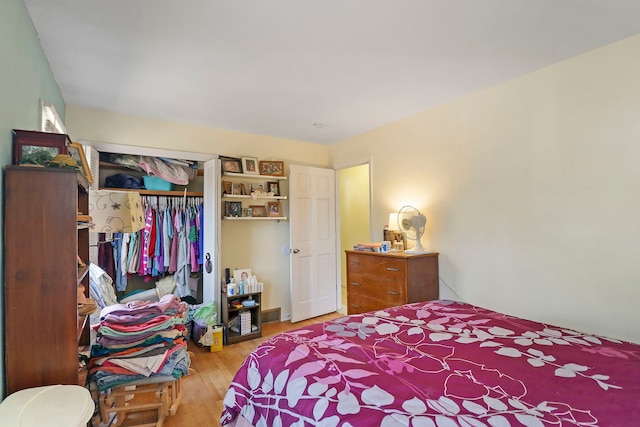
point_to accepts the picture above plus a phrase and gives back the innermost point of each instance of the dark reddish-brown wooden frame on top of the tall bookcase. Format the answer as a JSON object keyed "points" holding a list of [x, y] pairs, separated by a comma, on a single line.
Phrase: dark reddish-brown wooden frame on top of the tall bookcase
{"points": [[31, 143]]}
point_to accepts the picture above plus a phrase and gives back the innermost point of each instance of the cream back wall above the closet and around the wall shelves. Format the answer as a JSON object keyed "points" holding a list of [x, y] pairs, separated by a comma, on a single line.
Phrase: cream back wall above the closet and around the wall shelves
{"points": [[243, 245]]}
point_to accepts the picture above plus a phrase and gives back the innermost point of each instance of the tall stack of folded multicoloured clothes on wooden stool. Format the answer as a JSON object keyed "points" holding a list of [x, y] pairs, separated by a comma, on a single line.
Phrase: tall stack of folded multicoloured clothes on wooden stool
{"points": [[140, 340]]}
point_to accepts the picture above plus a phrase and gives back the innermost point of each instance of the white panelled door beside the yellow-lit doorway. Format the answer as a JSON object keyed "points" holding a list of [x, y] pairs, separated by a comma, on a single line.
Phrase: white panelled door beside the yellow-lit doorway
{"points": [[312, 241]]}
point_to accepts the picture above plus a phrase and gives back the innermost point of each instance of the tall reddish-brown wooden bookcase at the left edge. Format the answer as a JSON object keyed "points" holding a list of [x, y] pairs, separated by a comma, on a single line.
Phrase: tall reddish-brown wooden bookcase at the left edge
{"points": [[45, 232]]}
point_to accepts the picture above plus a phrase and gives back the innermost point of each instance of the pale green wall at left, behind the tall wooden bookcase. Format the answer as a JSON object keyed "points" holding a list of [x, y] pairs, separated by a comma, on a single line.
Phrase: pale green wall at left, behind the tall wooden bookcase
{"points": [[25, 78]]}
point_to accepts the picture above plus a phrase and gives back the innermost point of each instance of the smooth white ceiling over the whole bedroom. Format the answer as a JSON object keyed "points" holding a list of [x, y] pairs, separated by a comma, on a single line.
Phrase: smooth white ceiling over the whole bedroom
{"points": [[277, 67]]}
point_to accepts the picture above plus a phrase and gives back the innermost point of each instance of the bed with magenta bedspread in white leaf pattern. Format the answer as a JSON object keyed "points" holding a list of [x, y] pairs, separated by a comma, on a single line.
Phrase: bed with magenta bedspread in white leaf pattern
{"points": [[438, 363]]}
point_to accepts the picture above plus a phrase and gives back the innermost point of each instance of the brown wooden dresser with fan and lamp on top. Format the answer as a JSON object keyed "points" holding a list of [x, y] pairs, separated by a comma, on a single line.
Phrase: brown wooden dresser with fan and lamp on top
{"points": [[379, 280]]}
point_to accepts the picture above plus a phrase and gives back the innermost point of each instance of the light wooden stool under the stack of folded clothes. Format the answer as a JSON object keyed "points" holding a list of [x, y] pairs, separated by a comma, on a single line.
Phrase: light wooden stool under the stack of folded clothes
{"points": [[168, 394]]}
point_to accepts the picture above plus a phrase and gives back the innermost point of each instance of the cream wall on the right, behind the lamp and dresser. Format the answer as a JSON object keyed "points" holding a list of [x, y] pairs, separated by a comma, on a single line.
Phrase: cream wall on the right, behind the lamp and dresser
{"points": [[531, 189]]}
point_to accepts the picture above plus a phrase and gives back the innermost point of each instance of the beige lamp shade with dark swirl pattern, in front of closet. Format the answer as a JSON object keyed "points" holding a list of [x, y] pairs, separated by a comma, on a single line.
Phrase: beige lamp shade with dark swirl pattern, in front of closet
{"points": [[115, 211]]}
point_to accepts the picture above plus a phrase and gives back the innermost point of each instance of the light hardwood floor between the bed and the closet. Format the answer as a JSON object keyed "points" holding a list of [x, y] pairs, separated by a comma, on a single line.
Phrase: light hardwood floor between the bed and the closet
{"points": [[203, 391]]}
